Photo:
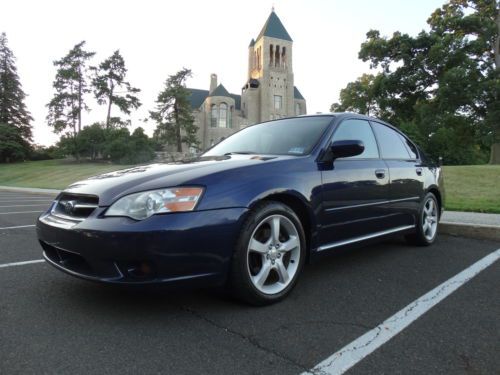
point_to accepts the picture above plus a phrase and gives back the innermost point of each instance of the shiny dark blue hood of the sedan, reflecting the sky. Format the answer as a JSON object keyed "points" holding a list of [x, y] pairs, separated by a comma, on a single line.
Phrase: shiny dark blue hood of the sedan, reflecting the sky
{"points": [[111, 186]]}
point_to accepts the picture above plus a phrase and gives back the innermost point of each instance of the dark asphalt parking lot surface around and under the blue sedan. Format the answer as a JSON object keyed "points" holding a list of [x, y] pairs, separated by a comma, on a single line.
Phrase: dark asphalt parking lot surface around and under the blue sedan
{"points": [[53, 323]]}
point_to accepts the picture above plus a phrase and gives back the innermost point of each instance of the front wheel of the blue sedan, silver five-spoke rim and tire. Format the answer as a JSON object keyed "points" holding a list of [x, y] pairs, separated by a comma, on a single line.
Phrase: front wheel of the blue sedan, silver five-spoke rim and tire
{"points": [[269, 255]]}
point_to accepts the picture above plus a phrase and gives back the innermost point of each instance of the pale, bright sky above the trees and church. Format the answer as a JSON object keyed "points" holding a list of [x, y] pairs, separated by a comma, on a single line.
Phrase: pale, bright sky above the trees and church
{"points": [[158, 38]]}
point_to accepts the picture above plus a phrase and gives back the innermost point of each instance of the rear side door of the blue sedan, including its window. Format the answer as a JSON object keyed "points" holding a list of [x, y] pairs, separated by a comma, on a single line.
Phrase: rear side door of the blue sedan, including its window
{"points": [[406, 173]]}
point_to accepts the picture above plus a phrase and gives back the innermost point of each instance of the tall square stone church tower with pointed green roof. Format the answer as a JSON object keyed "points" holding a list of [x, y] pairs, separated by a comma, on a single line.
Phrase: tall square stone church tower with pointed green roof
{"points": [[269, 92]]}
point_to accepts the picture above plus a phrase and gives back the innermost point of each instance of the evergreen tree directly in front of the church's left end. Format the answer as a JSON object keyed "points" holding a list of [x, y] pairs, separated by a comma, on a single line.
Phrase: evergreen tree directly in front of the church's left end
{"points": [[173, 114]]}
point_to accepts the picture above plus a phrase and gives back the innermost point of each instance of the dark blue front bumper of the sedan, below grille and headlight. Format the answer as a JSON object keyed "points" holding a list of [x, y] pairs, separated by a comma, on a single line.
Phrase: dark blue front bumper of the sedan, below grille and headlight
{"points": [[179, 247]]}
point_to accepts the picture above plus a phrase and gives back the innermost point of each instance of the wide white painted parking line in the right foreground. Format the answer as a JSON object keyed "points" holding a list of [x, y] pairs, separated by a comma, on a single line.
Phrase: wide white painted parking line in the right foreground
{"points": [[349, 355]]}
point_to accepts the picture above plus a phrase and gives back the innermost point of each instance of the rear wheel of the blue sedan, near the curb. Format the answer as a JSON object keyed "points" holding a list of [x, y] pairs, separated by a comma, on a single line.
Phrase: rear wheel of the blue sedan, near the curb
{"points": [[427, 223]]}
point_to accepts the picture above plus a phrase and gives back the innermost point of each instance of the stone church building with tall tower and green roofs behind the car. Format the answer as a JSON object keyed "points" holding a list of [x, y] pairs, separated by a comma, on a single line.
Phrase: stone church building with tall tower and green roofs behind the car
{"points": [[269, 92]]}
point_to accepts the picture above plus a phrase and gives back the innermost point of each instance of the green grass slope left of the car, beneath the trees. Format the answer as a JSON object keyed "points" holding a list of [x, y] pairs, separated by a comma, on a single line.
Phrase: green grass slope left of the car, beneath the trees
{"points": [[51, 174]]}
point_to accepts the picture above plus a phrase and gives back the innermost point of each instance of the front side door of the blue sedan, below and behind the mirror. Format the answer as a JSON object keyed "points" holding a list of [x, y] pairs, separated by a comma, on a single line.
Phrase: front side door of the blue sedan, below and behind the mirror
{"points": [[355, 191]]}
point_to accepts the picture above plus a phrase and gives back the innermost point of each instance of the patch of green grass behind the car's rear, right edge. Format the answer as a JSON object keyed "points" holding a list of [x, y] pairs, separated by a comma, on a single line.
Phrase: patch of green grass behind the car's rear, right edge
{"points": [[473, 188]]}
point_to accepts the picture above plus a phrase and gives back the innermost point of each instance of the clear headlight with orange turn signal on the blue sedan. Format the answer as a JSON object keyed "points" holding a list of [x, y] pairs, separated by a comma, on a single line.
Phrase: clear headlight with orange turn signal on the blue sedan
{"points": [[140, 206]]}
